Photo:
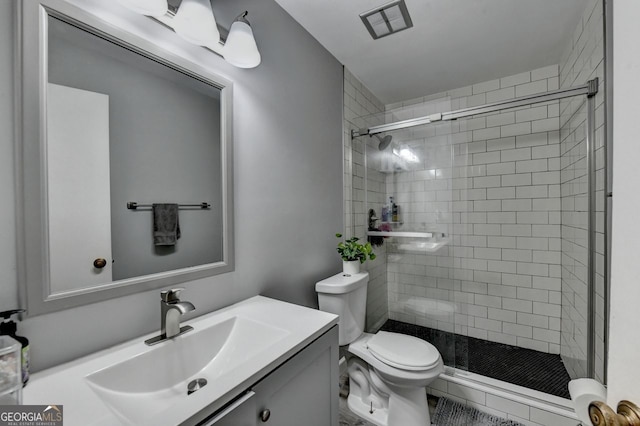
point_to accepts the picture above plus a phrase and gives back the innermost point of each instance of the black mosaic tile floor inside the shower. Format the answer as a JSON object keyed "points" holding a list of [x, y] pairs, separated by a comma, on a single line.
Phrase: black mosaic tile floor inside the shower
{"points": [[524, 367]]}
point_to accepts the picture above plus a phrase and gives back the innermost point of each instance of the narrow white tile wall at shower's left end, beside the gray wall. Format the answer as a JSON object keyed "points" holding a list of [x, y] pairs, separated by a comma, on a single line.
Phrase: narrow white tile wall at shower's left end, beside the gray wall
{"points": [[362, 109]]}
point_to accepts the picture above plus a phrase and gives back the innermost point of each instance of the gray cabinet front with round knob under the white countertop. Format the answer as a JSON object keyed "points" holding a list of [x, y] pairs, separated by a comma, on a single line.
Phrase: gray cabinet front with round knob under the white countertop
{"points": [[302, 391]]}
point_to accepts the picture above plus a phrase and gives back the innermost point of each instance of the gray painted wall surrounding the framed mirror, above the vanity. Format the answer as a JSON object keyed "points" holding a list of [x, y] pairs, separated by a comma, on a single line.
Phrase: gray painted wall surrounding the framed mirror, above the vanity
{"points": [[288, 182]]}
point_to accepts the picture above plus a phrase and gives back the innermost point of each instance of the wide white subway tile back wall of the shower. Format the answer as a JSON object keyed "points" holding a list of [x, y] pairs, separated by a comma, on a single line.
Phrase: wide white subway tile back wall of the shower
{"points": [[492, 184]]}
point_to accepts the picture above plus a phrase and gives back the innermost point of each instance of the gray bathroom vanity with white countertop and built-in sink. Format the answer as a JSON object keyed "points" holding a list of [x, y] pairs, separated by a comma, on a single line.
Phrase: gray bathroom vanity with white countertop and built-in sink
{"points": [[264, 362]]}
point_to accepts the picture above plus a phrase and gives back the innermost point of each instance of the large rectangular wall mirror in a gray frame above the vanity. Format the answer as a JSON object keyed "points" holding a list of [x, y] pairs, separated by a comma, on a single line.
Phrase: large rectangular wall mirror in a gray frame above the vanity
{"points": [[126, 163]]}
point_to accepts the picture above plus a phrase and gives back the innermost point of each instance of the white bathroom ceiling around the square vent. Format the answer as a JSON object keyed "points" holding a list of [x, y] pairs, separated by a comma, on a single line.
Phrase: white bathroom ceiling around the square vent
{"points": [[453, 43]]}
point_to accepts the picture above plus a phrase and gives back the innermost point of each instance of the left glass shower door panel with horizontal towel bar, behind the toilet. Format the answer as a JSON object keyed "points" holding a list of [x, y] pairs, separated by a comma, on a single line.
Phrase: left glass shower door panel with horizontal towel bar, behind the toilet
{"points": [[410, 218]]}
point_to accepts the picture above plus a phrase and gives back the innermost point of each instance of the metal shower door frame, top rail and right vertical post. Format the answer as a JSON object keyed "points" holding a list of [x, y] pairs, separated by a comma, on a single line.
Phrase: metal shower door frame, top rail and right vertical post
{"points": [[590, 89]]}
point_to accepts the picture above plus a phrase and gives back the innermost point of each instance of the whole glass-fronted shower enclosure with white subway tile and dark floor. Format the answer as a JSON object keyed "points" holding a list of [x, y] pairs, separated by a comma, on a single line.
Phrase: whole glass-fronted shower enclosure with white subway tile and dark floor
{"points": [[490, 223]]}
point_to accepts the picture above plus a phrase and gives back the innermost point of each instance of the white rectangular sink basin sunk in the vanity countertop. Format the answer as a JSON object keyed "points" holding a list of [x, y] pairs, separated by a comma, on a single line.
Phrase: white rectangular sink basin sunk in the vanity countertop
{"points": [[153, 380]]}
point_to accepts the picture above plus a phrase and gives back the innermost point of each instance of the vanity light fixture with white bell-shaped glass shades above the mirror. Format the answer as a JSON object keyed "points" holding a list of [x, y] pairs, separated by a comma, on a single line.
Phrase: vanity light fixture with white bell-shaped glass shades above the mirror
{"points": [[194, 21]]}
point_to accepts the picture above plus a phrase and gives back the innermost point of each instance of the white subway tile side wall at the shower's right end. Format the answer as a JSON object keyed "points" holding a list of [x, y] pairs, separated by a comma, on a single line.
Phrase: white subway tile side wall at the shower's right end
{"points": [[583, 60]]}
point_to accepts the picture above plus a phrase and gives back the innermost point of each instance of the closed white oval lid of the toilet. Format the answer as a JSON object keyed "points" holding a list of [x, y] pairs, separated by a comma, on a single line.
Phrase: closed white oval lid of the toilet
{"points": [[402, 351]]}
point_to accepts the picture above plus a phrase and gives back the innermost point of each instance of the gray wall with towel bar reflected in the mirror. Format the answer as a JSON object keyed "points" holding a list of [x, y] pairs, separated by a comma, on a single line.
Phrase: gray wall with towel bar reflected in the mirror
{"points": [[164, 147]]}
